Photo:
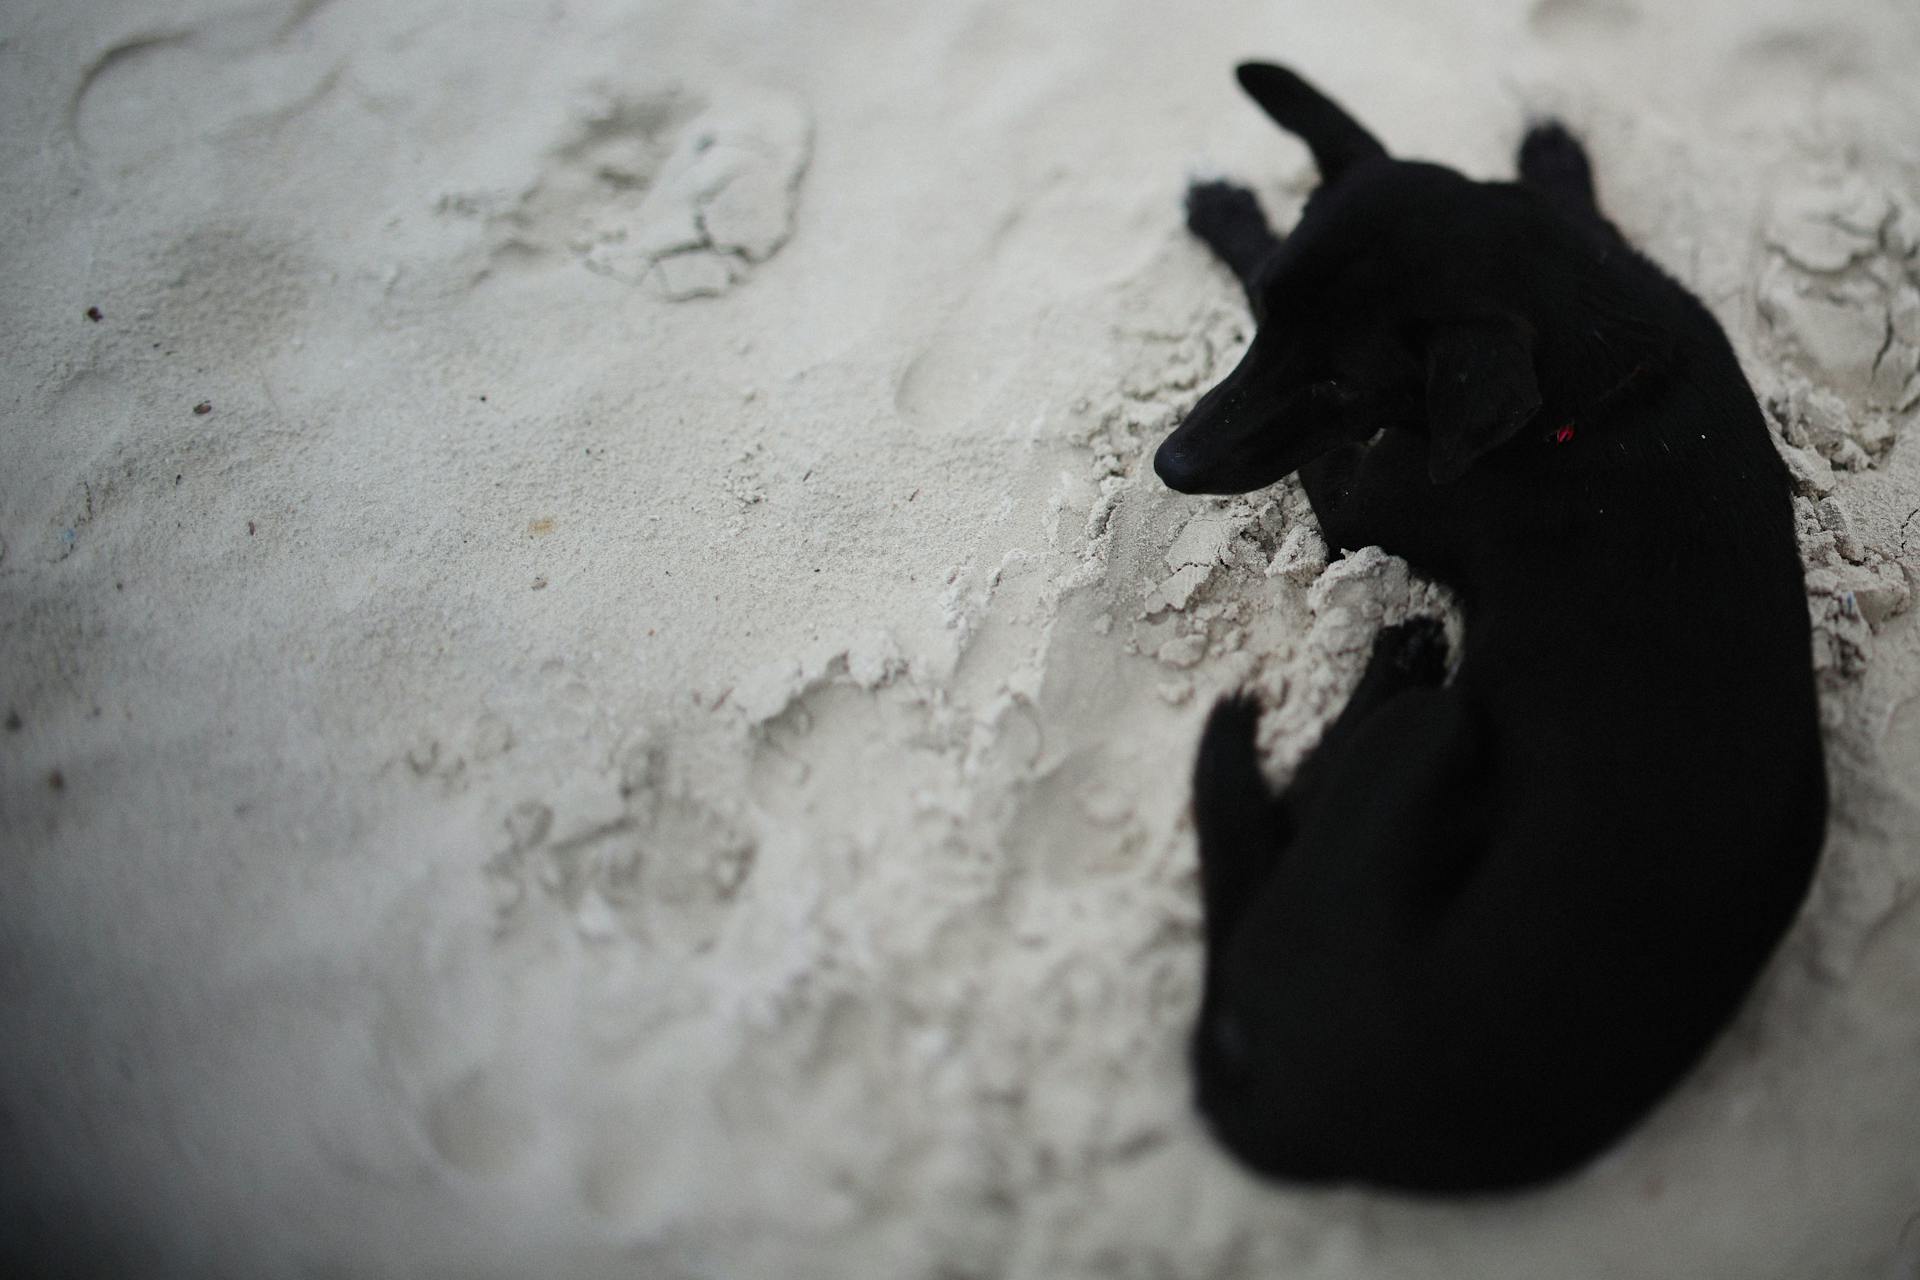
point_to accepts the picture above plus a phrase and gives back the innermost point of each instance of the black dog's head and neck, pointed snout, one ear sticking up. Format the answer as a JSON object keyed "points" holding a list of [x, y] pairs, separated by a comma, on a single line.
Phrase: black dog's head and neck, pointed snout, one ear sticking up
{"points": [[1406, 296]]}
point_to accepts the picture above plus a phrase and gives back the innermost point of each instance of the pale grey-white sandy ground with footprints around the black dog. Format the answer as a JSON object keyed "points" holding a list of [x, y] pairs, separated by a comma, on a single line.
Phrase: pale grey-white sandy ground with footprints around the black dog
{"points": [[642, 728]]}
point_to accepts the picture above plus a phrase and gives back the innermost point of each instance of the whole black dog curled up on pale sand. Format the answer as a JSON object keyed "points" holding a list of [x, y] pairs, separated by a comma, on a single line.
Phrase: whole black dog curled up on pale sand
{"points": [[1497, 918]]}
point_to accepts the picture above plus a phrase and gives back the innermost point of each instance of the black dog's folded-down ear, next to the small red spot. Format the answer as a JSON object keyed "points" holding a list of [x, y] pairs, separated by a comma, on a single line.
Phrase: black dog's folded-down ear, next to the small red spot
{"points": [[1481, 391]]}
